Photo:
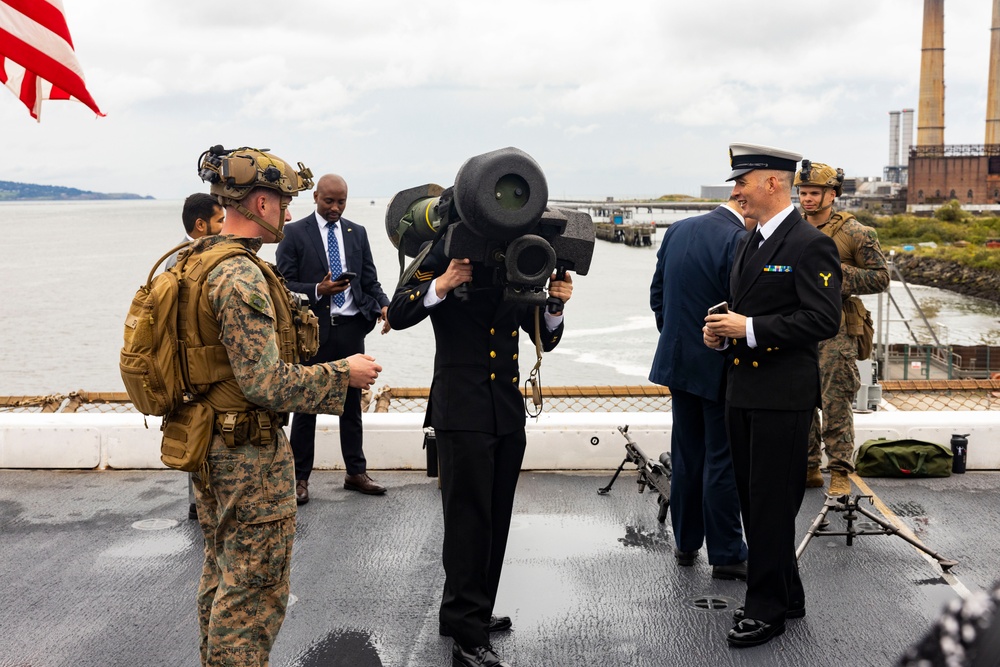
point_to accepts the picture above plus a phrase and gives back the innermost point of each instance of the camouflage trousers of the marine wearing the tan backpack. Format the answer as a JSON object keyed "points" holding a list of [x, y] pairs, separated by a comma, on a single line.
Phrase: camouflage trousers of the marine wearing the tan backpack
{"points": [[247, 515]]}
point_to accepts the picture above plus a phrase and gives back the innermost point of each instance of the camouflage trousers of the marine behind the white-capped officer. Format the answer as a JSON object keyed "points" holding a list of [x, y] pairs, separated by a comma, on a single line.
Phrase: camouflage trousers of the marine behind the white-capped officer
{"points": [[839, 383]]}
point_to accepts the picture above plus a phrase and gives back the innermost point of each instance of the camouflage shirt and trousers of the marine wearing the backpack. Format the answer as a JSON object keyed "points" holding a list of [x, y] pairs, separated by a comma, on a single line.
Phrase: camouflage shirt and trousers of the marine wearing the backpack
{"points": [[247, 504]]}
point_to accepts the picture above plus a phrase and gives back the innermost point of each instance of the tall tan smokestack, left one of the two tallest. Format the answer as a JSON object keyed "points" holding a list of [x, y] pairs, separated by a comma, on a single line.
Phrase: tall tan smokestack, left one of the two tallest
{"points": [[930, 122]]}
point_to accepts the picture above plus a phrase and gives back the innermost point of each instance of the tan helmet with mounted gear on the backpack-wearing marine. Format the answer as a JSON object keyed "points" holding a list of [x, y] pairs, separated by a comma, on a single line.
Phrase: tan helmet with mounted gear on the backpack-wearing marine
{"points": [[234, 173]]}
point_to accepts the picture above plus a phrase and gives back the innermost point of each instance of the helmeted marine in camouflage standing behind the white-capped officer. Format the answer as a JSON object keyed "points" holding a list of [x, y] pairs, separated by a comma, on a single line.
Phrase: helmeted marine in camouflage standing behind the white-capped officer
{"points": [[865, 272]]}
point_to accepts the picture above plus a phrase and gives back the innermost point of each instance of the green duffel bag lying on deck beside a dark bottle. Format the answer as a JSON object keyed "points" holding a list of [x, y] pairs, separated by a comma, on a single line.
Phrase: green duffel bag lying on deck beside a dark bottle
{"points": [[902, 458]]}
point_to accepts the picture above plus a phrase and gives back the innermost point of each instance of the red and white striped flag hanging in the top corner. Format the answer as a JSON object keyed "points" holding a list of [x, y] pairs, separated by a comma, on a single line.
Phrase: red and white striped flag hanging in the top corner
{"points": [[37, 61]]}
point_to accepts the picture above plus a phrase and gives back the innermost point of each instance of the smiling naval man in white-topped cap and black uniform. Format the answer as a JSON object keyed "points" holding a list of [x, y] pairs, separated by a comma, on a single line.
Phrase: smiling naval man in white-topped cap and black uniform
{"points": [[785, 292]]}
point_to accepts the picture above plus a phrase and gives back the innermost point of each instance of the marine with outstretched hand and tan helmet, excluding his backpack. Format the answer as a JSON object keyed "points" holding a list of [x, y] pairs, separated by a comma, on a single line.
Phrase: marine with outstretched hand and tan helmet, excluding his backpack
{"points": [[246, 501]]}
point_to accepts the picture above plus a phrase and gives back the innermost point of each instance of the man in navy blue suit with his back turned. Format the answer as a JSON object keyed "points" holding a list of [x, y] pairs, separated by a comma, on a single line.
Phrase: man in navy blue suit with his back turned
{"points": [[692, 275]]}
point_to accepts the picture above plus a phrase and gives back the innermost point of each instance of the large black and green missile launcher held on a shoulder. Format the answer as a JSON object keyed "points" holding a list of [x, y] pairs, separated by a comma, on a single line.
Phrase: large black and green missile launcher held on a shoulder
{"points": [[496, 214]]}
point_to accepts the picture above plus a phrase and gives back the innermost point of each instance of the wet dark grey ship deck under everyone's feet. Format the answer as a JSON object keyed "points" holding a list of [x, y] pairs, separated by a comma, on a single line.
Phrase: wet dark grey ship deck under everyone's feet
{"points": [[589, 579]]}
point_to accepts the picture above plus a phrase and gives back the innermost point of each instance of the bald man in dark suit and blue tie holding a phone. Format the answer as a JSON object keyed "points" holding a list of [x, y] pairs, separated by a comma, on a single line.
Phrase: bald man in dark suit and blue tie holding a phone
{"points": [[312, 257]]}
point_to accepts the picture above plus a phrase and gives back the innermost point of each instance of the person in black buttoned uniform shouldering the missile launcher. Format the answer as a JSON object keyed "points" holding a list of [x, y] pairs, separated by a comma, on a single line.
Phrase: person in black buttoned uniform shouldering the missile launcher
{"points": [[477, 411]]}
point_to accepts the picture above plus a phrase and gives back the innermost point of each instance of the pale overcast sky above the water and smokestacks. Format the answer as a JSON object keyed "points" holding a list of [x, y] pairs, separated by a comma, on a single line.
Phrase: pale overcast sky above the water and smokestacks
{"points": [[619, 97]]}
